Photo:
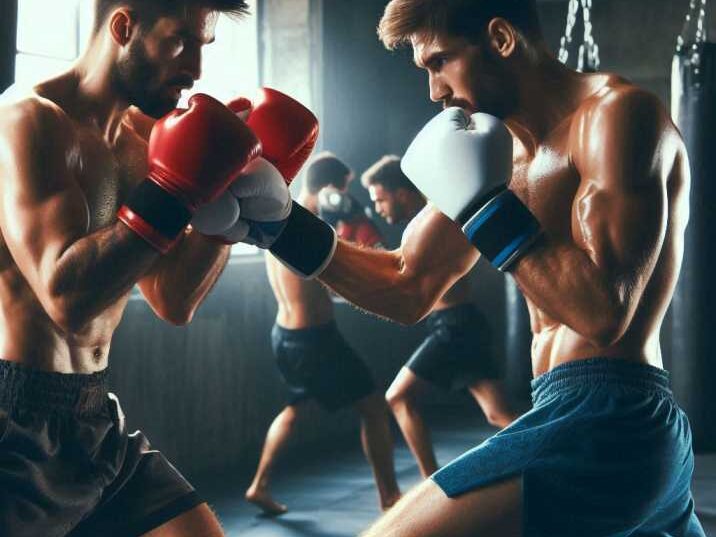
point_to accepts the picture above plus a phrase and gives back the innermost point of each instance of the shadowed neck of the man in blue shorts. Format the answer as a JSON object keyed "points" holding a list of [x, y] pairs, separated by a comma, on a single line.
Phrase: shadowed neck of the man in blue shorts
{"points": [[548, 92]]}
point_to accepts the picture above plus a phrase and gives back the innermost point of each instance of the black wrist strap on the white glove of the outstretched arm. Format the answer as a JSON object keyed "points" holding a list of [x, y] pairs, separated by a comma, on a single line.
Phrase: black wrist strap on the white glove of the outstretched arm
{"points": [[306, 244]]}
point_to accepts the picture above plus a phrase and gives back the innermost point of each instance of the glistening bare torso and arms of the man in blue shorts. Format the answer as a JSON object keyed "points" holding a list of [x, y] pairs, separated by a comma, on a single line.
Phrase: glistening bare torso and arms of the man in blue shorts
{"points": [[609, 184]]}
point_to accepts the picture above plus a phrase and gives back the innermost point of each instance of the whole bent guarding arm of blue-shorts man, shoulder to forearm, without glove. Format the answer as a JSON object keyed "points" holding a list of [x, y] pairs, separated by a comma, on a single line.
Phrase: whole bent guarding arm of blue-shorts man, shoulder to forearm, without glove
{"points": [[593, 283]]}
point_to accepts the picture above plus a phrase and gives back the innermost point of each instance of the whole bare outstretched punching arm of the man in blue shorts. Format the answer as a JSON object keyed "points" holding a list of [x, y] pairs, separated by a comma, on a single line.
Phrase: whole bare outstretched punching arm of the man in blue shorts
{"points": [[403, 285]]}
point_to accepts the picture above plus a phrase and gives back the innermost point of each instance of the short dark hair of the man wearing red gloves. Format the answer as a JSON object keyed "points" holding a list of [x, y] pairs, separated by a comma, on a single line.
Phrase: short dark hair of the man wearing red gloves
{"points": [[149, 11]]}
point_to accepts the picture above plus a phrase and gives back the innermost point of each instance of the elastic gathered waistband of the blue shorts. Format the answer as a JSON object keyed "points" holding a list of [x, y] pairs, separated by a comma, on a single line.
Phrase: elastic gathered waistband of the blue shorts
{"points": [[592, 371]]}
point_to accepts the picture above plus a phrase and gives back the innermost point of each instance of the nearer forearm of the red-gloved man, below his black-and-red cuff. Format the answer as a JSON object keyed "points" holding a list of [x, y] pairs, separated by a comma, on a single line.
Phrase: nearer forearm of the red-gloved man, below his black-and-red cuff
{"points": [[95, 272]]}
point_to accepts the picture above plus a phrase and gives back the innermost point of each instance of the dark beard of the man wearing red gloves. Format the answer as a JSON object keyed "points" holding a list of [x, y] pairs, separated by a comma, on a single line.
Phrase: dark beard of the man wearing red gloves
{"points": [[135, 78]]}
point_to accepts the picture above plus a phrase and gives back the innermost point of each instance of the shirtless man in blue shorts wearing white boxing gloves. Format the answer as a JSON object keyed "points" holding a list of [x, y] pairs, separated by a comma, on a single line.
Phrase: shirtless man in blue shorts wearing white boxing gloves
{"points": [[591, 228]]}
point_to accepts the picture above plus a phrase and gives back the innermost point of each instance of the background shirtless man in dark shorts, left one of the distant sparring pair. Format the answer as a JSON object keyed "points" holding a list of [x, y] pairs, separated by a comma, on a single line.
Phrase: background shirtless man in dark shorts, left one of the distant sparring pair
{"points": [[318, 366]]}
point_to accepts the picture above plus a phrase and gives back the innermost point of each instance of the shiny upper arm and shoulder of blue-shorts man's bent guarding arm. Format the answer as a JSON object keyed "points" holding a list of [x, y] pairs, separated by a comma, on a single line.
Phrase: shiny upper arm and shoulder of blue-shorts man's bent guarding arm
{"points": [[620, 210]]}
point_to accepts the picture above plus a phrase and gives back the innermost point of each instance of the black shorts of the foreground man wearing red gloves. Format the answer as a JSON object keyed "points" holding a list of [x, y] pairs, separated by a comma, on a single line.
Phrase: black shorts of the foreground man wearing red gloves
{"points": [[68, 466]]}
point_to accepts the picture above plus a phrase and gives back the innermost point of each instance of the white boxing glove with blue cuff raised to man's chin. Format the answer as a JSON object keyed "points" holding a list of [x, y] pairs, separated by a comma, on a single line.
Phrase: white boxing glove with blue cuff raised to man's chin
{"points": [[462, 165]]}
